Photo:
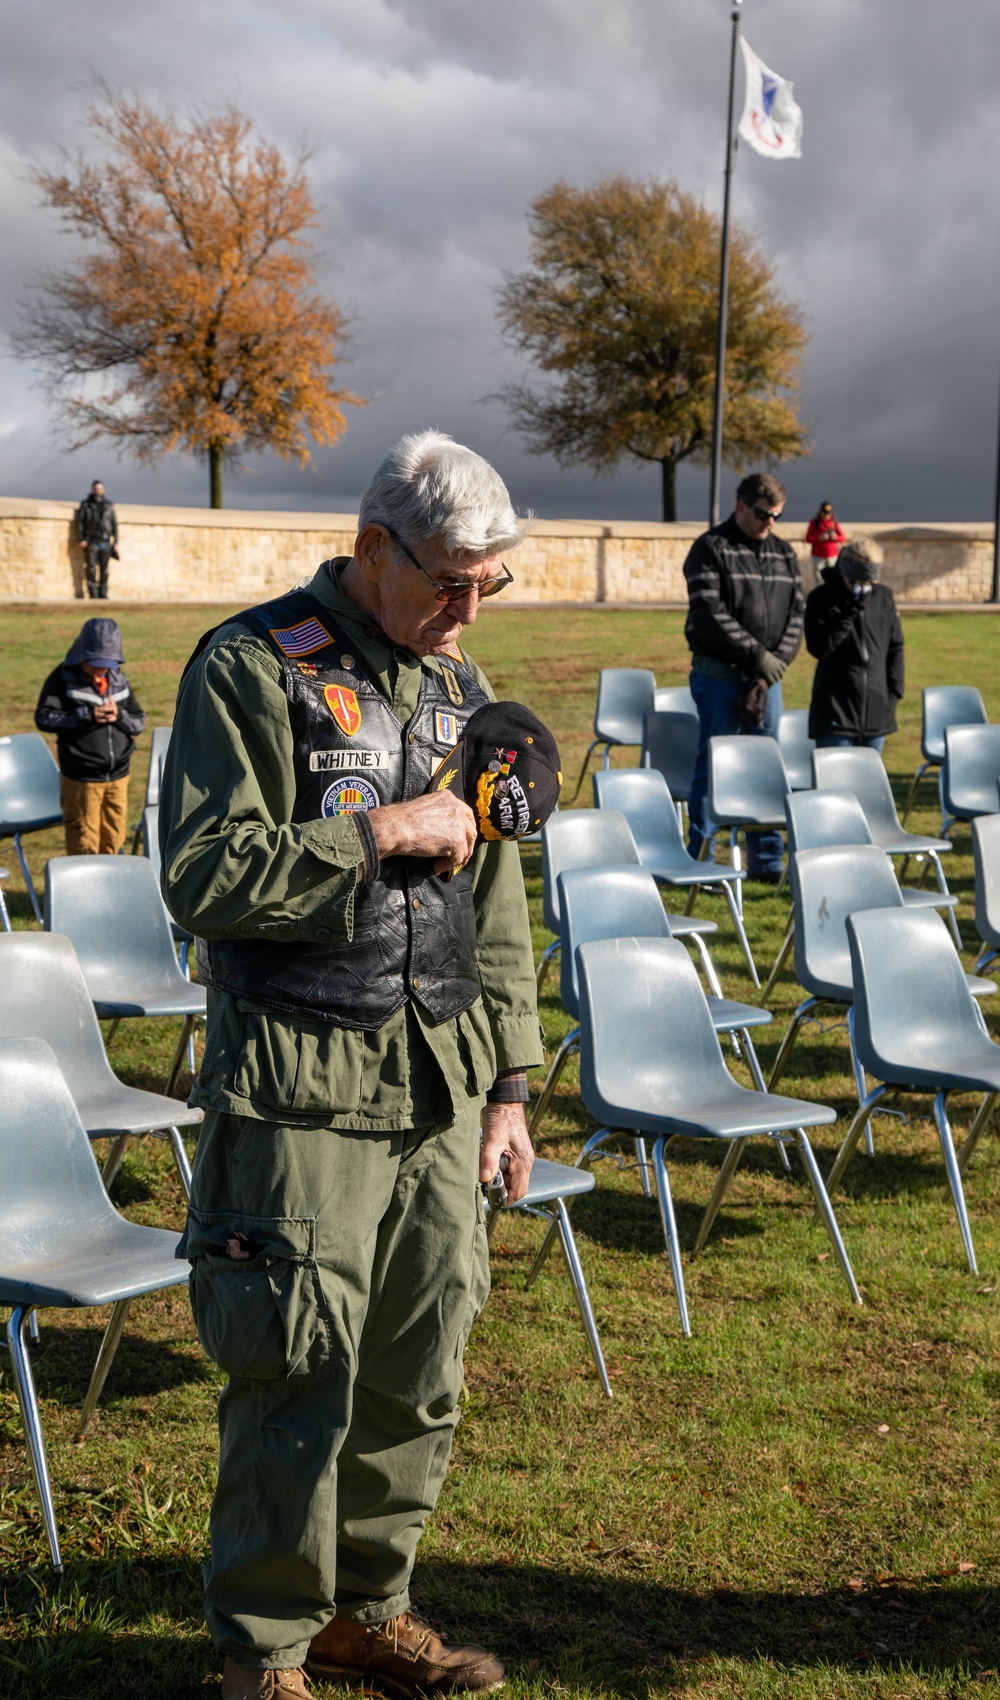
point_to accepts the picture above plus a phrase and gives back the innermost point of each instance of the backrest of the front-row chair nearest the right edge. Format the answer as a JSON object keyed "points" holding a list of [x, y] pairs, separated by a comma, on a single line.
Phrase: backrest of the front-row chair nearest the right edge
{"points": [[912, 1004]]}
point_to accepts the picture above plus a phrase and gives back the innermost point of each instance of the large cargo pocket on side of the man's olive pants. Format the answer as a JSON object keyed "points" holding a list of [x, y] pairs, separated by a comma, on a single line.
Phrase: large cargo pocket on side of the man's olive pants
{"points": [[256, 1295]]}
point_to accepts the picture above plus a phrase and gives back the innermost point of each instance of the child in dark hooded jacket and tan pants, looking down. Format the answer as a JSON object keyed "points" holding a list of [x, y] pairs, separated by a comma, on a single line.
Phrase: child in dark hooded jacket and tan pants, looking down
{"points": [[91, 708]]}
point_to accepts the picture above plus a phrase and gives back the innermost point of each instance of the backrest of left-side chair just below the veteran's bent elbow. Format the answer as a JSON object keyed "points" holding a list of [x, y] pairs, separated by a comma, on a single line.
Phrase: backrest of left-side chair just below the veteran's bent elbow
{"points": [[113, 912]]}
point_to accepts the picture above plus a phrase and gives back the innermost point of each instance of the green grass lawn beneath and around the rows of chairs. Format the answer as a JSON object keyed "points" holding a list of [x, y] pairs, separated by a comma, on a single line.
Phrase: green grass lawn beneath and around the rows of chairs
{"points": [[798, 1502]]}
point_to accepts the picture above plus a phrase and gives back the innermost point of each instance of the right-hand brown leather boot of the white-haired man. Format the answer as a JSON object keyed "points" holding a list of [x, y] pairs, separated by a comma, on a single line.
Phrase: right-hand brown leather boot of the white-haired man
{"points": [[404, 1657]]}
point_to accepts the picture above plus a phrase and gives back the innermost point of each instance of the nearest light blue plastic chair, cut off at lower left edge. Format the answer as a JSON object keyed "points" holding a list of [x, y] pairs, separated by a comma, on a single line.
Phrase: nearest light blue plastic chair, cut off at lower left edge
{"points": [[62, 1242]]}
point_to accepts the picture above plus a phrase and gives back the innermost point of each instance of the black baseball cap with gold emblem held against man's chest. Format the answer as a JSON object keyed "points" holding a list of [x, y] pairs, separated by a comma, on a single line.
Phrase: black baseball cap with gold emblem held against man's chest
{"points": [[508, 769]]}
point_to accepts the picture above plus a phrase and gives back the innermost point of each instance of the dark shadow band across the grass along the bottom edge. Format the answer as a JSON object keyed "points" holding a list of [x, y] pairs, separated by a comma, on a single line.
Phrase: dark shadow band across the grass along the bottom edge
{"points": [[93, 1636]]}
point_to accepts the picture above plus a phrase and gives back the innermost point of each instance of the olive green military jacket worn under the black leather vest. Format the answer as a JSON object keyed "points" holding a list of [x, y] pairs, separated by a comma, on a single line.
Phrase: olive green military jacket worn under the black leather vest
{"points": [[237, 868]]}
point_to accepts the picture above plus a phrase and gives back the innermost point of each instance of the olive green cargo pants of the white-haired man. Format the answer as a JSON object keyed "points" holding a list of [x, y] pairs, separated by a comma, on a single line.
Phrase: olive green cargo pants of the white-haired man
{"points": [[336, 1278]]}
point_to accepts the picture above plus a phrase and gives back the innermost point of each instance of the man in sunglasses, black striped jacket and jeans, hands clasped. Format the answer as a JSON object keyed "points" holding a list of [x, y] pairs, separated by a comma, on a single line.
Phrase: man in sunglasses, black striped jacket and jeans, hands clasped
{"points": [[744, 628]]}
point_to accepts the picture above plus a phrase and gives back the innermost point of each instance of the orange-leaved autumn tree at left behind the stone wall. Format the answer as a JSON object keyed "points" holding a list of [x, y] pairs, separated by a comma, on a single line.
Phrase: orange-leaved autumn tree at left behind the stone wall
{"points": [[193, 322]]}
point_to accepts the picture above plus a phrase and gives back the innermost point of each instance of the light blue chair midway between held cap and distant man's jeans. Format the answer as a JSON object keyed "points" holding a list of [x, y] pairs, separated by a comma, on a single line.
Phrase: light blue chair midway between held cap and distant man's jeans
{"points": [[647, 805]]}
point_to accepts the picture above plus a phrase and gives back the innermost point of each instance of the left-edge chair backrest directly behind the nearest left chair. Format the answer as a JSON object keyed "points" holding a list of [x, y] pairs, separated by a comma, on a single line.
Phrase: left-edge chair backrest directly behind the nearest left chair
{"points": [[43, 995]]}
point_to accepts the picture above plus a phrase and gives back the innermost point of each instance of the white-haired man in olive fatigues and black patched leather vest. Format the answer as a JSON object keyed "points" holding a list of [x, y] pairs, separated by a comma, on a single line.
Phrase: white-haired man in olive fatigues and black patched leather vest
{"points": [[361, 1014]]}
